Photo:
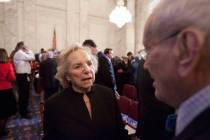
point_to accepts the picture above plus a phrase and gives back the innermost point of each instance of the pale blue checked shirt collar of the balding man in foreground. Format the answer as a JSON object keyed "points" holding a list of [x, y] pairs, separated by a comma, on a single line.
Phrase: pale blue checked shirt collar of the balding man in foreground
{"points": [[191, 108]]}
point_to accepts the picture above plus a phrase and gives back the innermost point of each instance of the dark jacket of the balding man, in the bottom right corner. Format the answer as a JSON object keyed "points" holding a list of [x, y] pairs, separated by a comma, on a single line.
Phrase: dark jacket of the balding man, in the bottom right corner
{"points": [[199, 129]]}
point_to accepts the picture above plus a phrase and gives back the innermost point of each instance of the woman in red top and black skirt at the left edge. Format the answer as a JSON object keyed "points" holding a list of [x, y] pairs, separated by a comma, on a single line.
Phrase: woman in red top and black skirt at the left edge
{"points": [[7, 98]]}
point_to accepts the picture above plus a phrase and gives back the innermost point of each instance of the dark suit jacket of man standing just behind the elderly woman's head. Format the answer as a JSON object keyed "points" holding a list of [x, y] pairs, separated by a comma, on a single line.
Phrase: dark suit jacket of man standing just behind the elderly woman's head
{"points": [[105, 75]]}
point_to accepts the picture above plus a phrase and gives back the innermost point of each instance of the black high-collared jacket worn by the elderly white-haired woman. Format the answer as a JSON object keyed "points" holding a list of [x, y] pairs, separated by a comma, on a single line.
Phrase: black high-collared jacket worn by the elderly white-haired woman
{"points": [[67, 118]]}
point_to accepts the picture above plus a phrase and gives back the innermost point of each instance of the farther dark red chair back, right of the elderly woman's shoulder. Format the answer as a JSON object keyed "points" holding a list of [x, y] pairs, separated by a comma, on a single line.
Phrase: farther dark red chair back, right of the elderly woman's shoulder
{"points": [[130, 91]]}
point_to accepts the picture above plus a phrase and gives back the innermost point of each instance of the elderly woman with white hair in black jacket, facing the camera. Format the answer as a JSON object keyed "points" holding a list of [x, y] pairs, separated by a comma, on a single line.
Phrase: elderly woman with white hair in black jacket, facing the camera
{"points": [[82, 111]]}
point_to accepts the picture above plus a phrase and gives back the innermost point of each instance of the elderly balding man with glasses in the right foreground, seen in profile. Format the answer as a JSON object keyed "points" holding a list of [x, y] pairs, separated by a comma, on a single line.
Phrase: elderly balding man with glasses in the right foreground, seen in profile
{"points": [[177, 40]]}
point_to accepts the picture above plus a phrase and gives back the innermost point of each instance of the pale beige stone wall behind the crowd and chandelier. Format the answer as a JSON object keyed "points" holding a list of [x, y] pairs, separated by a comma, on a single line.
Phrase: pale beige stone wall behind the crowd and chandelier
{"points": [[74, 20]]}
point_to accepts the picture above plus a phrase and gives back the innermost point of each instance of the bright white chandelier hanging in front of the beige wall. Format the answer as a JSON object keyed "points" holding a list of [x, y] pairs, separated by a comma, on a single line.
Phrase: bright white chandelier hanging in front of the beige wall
{"points": [[120, 14]]}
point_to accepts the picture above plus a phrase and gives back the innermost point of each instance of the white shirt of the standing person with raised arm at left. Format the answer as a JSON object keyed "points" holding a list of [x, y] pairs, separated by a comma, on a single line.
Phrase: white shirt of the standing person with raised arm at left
{"points": [[21, 61]]}
